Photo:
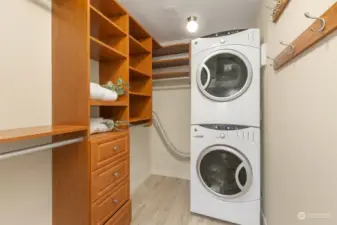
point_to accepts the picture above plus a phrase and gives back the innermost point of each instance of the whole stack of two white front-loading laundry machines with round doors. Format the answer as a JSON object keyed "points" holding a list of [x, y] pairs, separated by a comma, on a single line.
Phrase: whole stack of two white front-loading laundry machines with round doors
{"points": [[225, 126]]}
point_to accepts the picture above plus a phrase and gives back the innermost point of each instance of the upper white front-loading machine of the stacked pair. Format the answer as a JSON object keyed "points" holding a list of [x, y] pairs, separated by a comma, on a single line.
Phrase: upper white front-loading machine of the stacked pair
{"points": [[225, 78]]}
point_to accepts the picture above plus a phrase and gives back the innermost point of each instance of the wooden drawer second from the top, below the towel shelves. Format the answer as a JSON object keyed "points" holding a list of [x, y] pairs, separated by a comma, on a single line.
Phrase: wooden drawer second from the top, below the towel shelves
{"points": [[107, 178]]}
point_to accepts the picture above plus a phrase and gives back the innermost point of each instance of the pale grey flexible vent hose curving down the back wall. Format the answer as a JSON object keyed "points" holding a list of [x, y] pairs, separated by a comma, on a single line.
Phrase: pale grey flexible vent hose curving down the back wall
{"points": [[169, 145]]}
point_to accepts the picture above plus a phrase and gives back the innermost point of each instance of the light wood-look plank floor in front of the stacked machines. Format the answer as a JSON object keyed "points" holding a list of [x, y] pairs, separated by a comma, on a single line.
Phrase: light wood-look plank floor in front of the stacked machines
{"points": [[165, 201]]}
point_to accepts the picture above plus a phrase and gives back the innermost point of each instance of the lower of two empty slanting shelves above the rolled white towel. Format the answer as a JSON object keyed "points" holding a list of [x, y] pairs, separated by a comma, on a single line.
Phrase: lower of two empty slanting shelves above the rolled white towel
{"points": [[103, 52]]}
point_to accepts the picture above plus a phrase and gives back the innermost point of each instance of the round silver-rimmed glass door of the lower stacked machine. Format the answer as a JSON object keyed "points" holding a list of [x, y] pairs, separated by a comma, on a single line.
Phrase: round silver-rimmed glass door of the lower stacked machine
{"points": [[224, 172]]}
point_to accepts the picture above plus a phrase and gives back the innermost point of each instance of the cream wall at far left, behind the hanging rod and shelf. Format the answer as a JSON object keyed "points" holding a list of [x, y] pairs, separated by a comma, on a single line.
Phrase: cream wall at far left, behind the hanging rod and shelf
{"points": [[25, 96]]}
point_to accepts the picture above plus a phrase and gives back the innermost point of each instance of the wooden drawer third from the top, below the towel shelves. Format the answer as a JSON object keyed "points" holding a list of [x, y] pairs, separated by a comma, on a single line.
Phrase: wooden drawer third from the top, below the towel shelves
{"points": [[104, 208]]}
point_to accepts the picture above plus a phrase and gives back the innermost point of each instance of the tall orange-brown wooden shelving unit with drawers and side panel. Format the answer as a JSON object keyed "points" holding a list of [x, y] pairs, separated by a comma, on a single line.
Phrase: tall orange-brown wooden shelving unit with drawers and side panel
{"points": [[102, 31]]}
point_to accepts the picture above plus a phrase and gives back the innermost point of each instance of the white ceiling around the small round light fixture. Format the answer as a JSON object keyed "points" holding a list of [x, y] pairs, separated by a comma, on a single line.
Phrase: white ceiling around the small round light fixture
{"points": [[165, 20]]}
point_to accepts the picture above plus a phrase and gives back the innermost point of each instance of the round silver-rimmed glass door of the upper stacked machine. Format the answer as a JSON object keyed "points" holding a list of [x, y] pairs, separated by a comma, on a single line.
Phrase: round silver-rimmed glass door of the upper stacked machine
{"points": [[224, 75]]}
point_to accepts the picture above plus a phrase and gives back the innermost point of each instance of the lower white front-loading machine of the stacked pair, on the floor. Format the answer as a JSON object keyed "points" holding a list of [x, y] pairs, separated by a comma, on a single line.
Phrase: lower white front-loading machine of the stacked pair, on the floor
{"points": [[225, 173]]}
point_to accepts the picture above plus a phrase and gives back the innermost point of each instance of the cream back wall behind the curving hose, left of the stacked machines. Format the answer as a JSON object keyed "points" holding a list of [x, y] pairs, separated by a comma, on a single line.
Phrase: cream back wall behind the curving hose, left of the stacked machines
{"points": [[173, 108]]}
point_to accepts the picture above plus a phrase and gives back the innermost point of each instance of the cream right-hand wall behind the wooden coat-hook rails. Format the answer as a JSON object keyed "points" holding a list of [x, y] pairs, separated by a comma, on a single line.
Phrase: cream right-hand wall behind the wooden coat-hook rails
{"points": [[300, 124]]}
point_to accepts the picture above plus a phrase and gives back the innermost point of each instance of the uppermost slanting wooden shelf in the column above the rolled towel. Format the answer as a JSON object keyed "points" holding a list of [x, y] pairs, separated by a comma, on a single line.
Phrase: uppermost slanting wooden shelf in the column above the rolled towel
{"points": [[102, 27]]}
